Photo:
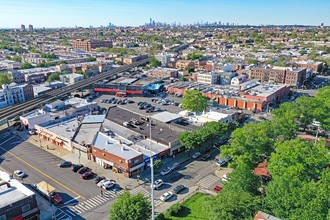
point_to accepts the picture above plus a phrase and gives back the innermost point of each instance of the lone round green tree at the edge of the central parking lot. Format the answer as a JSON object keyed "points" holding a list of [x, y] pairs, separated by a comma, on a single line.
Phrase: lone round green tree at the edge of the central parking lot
{"points": [[194, 101]]}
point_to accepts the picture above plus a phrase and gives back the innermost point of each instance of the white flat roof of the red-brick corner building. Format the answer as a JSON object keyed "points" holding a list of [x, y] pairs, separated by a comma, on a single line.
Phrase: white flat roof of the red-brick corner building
{"points": [[118, 148]]}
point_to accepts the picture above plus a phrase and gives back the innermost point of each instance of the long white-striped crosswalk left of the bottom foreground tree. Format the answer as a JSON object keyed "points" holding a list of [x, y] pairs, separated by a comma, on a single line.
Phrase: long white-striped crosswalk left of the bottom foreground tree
{"points": [[95, 201]]}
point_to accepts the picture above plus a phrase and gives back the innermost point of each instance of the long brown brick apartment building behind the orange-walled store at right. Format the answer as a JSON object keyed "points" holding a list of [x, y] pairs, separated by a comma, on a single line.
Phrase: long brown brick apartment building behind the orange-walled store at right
{"points": [[285, 75]]}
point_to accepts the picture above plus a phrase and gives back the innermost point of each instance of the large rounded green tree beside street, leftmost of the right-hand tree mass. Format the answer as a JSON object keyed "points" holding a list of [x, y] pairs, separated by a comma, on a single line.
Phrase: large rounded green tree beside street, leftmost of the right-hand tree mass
{"points": [[250, 144]]}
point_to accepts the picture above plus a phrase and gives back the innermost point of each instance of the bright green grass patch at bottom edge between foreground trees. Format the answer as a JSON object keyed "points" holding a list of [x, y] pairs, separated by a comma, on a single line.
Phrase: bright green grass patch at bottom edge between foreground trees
{"points": [[192, 209]]}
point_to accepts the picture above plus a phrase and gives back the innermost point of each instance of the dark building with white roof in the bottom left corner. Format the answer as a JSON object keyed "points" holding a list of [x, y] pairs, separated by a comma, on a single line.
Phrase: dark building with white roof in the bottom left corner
{"points": [[16, 200]]}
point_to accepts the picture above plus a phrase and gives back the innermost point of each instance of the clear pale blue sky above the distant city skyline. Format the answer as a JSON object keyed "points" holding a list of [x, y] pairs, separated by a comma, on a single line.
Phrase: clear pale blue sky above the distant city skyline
{"points": [[85, 13]]}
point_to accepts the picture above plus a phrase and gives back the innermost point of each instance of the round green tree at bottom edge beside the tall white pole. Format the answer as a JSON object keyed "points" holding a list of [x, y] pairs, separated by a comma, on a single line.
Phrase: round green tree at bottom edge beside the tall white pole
{"points": [[130, 207]]}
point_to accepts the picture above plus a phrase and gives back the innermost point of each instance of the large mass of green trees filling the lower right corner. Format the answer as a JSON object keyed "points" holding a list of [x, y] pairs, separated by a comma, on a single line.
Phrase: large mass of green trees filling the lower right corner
{"points": [[300, 176]]}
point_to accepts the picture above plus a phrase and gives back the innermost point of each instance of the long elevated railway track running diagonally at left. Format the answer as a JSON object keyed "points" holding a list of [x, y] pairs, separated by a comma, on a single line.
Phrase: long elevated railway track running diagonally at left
{"points": [[12, 111]]}
